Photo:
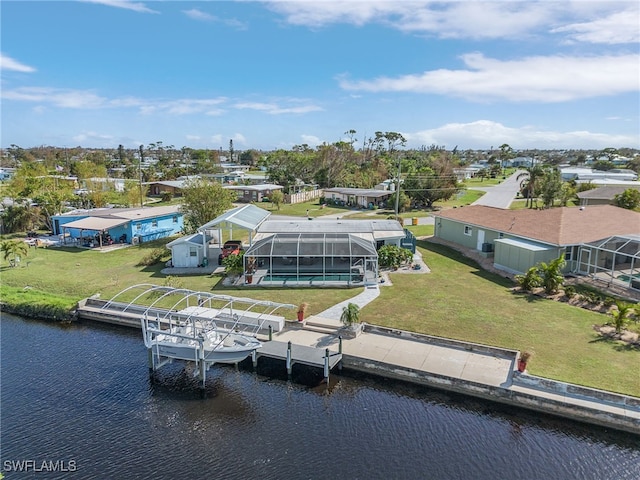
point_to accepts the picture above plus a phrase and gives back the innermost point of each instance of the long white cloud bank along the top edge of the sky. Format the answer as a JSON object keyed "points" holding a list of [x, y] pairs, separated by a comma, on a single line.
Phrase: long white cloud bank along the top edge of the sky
{"points": [[594, 22]]}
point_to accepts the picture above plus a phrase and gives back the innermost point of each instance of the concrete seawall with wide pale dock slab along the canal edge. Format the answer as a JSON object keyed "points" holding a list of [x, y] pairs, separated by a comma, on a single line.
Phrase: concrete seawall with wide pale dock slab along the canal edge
{"points": [[409, 356]]}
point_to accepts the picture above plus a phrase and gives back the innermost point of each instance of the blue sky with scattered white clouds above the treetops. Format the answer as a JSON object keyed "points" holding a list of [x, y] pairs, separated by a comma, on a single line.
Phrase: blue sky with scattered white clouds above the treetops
{"points": [[275, 74]]}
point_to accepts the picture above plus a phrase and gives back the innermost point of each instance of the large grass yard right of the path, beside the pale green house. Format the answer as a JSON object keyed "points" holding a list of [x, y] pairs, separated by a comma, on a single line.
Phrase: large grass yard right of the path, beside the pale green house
{"points": [[459, 300]]}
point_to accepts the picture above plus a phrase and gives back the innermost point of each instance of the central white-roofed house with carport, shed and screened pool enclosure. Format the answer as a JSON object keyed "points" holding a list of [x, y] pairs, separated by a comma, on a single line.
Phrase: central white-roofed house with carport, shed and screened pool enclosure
{"points": [[293, 252]]}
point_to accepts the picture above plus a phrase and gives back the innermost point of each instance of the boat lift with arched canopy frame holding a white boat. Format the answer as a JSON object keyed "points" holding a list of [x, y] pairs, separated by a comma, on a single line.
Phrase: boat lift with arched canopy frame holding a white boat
{"points": [[199, 327]]}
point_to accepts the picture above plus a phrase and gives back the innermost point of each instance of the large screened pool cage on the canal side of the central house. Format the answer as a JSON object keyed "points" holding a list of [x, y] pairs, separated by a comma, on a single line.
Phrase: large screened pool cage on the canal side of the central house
{"points": [[312, 259]]}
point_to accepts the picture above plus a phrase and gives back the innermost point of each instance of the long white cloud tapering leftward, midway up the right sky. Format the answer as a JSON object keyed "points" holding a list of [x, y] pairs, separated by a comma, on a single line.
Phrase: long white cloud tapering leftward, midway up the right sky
{"points": [[533, 79]]}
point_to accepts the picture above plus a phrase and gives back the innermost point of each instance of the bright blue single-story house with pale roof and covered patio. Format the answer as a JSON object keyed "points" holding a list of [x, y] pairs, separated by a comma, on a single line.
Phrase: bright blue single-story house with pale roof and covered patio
{"points": [[104, 226]]}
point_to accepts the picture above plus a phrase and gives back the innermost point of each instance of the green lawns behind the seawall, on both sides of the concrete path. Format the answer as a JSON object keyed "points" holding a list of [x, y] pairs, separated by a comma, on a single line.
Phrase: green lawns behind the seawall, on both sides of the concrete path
{"points": [[456, 300]]}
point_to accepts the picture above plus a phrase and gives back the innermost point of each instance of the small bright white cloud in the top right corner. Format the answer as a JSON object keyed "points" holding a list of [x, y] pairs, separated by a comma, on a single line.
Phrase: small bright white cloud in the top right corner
{"points": [[619, 27]]}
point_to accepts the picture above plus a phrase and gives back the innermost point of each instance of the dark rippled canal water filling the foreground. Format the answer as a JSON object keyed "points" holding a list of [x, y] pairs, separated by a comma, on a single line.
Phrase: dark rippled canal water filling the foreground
{"points": [[77, 402]]}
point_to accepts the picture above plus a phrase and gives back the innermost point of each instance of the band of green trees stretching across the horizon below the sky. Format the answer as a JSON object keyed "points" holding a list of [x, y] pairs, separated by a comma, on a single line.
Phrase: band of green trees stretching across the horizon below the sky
{"points": [[40, 187]]}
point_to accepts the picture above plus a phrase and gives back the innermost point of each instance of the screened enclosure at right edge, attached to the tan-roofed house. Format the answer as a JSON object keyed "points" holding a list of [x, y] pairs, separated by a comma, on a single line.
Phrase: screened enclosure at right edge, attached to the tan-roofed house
{"points": [[614, 259]]}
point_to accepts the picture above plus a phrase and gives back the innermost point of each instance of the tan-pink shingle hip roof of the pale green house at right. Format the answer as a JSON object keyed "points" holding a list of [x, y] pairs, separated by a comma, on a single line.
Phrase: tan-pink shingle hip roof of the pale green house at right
{"points": [[556, 226]]}
